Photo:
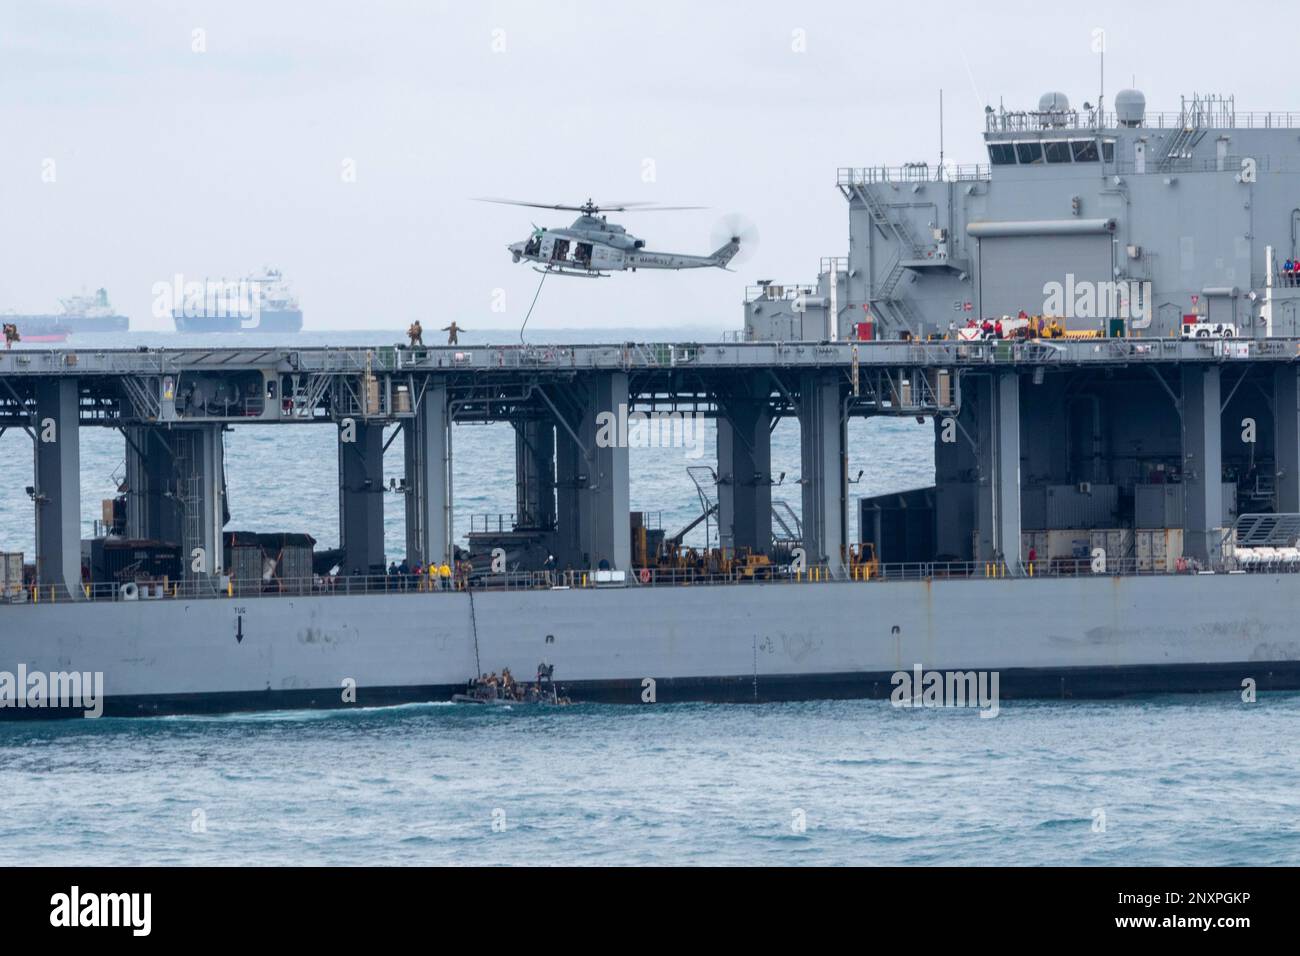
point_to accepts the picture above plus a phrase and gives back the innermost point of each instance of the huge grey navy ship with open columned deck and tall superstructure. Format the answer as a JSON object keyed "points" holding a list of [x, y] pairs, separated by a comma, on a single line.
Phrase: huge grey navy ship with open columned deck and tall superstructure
{"points": [[1098, 322]]}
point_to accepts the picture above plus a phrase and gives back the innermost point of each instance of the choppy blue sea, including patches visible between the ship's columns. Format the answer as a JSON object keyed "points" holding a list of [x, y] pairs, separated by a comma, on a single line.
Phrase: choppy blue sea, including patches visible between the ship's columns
{"points": [[1173, 780]]}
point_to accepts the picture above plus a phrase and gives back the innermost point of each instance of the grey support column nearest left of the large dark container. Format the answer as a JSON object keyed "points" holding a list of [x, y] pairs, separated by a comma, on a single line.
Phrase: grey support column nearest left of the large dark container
{"points": [[822, 440]]}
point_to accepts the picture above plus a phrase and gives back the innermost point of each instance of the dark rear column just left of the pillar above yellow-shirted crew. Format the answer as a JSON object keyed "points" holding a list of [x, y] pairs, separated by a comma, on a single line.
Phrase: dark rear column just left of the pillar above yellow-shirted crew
{"points": [[361, 498]]}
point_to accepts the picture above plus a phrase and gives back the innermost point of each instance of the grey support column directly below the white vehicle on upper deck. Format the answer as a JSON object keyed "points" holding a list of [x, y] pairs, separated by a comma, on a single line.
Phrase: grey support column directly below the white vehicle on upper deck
{"points": [[1203, 464]]}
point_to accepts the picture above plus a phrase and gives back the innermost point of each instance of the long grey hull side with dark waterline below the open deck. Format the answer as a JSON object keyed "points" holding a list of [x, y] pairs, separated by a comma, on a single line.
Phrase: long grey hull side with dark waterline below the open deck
{"points": [[1046, 638]]}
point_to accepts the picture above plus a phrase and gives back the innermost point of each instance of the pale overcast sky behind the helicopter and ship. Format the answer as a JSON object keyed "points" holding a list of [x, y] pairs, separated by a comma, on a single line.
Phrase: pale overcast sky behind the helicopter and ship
{"points": [[213, 163]]}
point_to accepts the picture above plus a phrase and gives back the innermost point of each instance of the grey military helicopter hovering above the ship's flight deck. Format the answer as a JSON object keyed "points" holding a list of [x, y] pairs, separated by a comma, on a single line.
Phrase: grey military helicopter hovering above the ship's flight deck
{"points": [[593, 248]]}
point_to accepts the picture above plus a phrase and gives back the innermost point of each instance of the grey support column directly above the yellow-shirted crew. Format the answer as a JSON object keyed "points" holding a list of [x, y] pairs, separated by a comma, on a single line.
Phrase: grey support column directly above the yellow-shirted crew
{"points": [[428, 508]]}
